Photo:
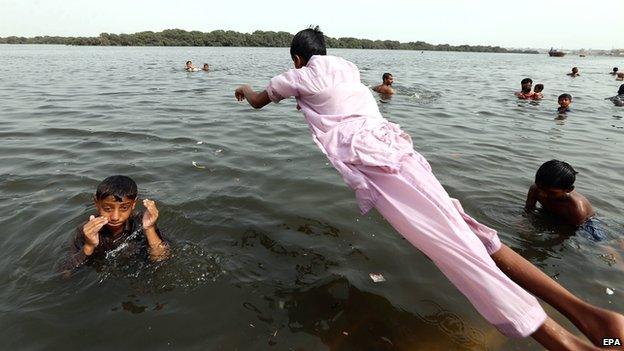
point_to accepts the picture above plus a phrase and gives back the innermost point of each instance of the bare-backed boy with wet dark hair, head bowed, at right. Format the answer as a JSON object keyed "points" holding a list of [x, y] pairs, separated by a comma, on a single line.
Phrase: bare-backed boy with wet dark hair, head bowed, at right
{"points": [[554, 190]]}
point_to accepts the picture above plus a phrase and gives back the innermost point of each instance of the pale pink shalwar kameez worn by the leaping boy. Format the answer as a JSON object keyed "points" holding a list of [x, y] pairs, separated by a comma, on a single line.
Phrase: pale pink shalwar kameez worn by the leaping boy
{"points": [[377, 159]]}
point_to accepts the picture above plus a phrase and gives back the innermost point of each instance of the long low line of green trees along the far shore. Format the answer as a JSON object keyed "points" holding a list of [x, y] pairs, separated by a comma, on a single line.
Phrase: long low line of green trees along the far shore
{"points": [[179, 37]]}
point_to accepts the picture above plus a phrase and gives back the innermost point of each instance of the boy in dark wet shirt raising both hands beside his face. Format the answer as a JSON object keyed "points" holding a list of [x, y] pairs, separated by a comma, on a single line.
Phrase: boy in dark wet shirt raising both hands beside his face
{"points": [[116, 224]]}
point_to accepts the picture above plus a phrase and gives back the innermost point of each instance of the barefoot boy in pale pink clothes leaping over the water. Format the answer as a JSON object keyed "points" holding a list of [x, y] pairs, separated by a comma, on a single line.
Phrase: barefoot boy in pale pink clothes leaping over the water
{"points": [[377, 159]]}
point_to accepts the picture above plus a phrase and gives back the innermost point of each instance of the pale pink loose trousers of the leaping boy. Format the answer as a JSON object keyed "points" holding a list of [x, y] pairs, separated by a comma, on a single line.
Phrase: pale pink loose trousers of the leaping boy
{"points": [[414, 202]]}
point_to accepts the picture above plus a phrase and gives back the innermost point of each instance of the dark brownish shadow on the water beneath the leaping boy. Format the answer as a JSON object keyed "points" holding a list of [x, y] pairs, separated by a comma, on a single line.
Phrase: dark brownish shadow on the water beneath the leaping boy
{"points": [[347, 318]]}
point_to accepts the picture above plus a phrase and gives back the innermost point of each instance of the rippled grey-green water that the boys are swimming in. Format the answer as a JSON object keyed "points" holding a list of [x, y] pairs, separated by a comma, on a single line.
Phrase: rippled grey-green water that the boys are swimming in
{"points": [[269, 249]]}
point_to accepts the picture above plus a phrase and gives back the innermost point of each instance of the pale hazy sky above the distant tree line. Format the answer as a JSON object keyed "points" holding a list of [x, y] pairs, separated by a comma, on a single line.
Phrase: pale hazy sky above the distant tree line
{"points": [[570, 24]]}
